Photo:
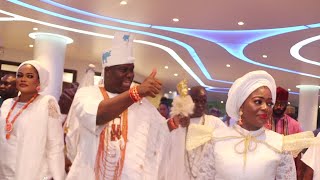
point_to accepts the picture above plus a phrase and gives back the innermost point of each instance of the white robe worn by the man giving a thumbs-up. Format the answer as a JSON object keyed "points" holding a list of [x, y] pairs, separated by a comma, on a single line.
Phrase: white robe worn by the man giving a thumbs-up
{"points": [[147, 130]]}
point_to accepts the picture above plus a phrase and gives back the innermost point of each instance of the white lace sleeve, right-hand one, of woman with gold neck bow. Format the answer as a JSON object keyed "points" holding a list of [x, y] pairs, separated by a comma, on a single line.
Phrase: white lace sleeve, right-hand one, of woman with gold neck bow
{"points": [[286, 169]]}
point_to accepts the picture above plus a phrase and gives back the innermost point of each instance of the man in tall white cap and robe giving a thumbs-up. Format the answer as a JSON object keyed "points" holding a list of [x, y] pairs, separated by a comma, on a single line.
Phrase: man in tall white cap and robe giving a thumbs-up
{"points": [[120, 132]]}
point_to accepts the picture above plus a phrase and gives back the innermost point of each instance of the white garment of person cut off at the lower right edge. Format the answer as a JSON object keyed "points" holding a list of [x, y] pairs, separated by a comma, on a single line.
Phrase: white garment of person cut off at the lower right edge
{"points": [[312, 159]]}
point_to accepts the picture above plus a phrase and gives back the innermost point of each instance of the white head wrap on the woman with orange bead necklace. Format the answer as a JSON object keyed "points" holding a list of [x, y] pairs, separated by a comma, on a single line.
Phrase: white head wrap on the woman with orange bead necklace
{"points": [[42, 72]]}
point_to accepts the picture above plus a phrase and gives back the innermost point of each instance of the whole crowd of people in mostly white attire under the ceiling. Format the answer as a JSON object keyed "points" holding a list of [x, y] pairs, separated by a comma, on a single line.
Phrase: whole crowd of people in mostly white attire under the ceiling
{"points": [[111, 131]]}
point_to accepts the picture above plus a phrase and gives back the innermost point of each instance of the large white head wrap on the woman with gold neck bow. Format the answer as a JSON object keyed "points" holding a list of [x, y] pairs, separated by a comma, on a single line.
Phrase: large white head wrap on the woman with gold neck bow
{"points": [[244, 86]]}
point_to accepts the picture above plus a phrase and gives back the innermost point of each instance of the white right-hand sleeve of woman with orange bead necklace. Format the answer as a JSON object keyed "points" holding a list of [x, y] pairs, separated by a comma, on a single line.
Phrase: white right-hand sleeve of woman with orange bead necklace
{"points": [[55, 143]]}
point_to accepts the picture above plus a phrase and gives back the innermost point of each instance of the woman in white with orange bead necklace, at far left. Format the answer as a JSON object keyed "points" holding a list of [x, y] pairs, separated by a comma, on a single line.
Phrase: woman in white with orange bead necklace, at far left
{"points": [[31, 135]]}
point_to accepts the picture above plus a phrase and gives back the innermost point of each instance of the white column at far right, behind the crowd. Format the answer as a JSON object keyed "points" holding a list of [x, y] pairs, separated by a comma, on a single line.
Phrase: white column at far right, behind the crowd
{"points": [[308, 106]]}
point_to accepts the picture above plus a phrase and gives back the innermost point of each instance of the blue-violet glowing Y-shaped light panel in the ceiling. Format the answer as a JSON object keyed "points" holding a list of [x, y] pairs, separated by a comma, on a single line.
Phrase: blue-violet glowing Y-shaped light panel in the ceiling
{"points": [[239, 40]]}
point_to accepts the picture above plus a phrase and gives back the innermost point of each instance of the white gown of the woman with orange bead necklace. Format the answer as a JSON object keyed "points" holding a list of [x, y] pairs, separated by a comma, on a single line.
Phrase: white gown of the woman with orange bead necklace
{"points": [[35, 147]]}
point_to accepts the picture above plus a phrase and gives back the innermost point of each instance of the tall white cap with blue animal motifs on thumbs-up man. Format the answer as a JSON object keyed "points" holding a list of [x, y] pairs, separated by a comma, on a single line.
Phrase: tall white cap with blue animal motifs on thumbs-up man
{"points": [[121, 51]]}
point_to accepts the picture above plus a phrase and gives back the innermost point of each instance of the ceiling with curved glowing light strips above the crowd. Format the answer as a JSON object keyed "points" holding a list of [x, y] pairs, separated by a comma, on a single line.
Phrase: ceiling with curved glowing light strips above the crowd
{"points": [[222, 15]]}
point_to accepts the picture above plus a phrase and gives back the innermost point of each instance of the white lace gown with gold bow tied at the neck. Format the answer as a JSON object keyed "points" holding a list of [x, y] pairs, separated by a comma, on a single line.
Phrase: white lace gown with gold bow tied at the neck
{"points": [[224, 157]]}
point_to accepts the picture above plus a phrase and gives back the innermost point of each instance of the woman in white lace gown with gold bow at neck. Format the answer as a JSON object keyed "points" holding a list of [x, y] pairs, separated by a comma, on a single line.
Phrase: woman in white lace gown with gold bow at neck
{"points": [[247, 151]]}
